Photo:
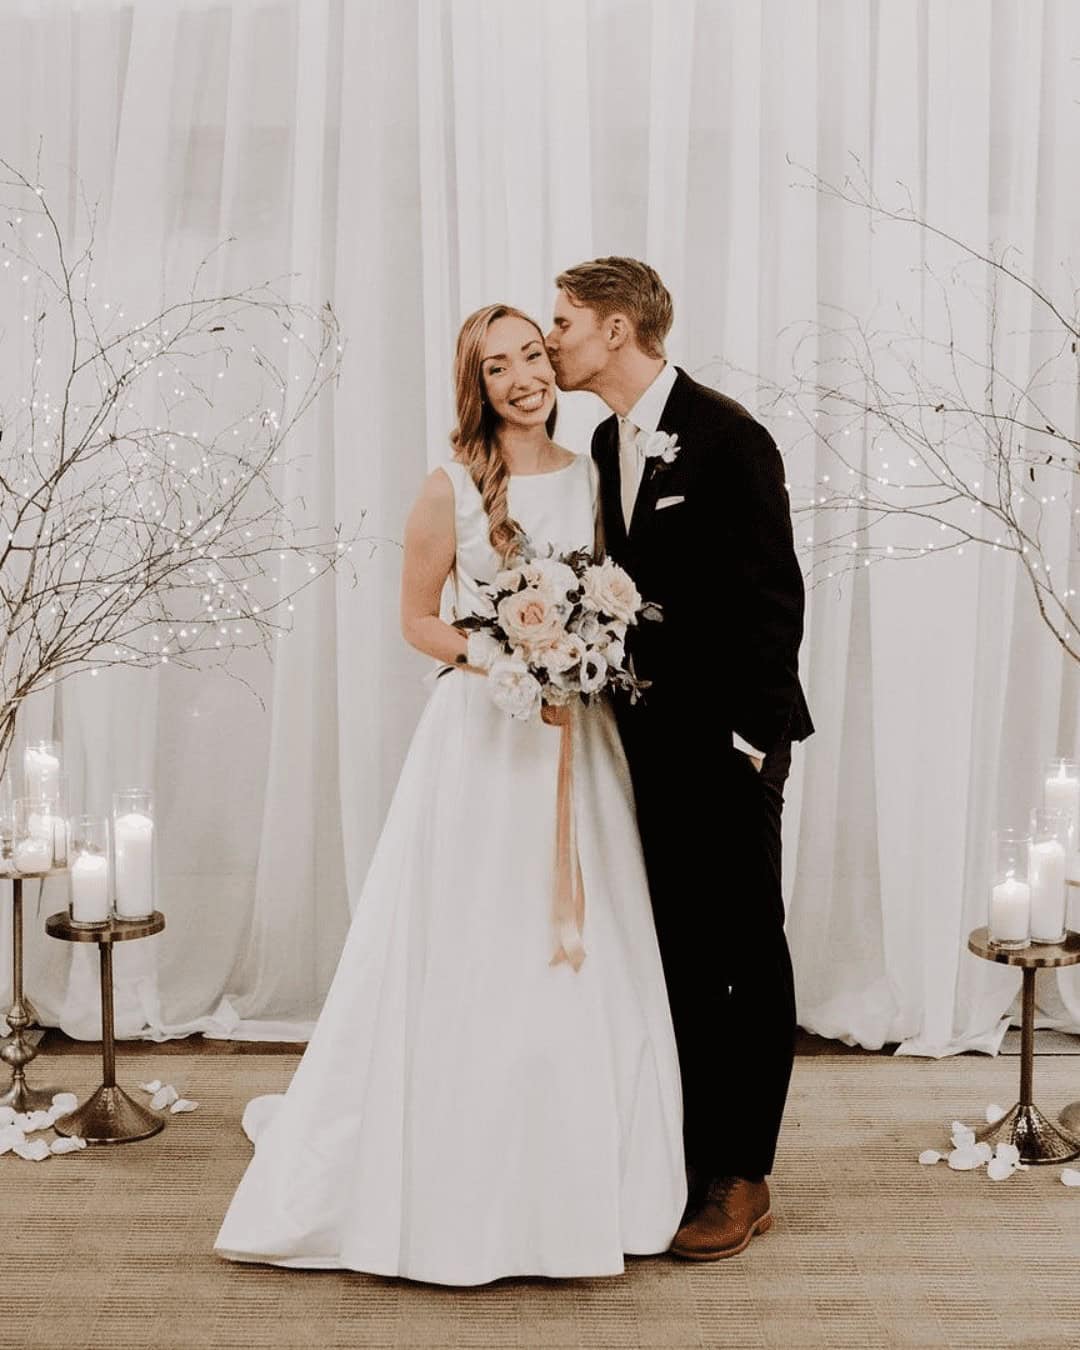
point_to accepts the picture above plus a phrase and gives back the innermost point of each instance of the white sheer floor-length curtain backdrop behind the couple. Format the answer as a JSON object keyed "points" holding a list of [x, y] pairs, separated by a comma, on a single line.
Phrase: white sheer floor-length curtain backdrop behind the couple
{"points": [[411, 160]]}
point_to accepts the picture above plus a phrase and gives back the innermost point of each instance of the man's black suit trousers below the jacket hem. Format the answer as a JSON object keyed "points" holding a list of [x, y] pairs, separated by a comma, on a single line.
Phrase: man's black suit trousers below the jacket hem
{"points": [[711, 831]]}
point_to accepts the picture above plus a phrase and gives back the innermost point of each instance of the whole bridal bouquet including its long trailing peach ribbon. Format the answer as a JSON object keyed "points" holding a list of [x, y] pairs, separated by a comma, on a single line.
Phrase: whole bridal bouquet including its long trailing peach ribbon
{"points": [[556, 634]]}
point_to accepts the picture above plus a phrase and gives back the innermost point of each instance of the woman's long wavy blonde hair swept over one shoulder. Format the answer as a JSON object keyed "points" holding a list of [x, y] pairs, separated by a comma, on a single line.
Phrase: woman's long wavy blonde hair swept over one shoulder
{"points": [[476, 437]]}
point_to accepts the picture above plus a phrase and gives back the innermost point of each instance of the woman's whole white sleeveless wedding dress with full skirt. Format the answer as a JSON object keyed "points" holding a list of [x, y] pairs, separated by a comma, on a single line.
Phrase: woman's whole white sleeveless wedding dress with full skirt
{"points": [[466, 1110]]}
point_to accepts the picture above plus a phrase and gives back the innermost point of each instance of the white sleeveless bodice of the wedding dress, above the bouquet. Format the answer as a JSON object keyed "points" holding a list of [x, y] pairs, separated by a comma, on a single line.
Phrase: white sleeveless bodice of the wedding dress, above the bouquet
{"points": [[558, 510]]}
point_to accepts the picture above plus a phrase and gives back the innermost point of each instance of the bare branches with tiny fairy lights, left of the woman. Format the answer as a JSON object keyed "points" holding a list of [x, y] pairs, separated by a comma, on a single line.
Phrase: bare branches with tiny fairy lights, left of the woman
{"points": [[145, 506]]}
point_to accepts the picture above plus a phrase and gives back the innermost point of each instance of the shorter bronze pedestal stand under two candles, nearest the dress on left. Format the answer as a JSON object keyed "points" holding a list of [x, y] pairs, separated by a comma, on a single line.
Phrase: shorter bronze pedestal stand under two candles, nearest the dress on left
{"points": [[110, 1116]]}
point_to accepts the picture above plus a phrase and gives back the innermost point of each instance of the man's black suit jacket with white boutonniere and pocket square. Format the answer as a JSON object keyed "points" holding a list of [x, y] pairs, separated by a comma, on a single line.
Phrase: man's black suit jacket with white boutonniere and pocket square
{"points": [[722, 562]]}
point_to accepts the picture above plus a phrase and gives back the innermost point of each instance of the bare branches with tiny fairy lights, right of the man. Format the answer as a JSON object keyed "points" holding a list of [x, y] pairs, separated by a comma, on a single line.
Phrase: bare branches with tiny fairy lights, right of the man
{"points": [[948, 429]]}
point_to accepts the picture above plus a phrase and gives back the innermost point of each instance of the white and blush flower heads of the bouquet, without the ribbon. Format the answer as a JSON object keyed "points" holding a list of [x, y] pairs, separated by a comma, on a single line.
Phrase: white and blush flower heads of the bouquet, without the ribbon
{"points": [[556, 630]]}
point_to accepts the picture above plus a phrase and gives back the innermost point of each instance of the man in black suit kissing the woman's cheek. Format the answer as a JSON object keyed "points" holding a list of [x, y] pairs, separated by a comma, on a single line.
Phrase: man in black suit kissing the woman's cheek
{"points": [[695, 507]]}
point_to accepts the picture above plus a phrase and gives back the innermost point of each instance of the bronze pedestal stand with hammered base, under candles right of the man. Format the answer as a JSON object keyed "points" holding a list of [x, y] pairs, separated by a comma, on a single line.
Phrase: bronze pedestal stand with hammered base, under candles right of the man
{"points": [[1025, 1125]]}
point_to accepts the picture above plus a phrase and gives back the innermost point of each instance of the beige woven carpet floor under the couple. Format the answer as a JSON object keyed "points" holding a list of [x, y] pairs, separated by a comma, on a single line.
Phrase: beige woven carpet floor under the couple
{"points": [[110, 1248]]}
